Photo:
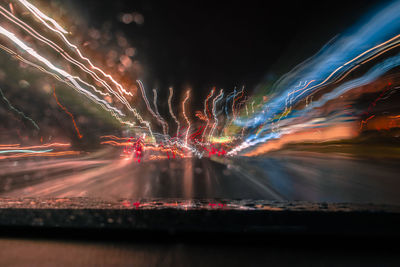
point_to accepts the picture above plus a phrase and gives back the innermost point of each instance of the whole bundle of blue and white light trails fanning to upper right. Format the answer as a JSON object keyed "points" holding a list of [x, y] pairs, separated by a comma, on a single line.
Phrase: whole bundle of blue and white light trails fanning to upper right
{"points": [[370, 40]]}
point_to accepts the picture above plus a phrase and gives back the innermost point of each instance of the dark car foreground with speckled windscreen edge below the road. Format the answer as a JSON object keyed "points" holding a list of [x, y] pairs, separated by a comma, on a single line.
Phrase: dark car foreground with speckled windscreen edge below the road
{"points": [[85, 232]]}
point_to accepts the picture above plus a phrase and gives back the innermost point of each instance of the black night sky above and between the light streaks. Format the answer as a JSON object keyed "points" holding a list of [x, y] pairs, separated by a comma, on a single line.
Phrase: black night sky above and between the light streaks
{"points": [[219, 43]]}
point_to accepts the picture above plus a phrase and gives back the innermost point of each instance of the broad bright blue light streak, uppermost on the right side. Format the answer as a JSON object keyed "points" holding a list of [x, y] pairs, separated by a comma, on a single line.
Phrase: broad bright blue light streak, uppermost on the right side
{"points": [[346, 52]]}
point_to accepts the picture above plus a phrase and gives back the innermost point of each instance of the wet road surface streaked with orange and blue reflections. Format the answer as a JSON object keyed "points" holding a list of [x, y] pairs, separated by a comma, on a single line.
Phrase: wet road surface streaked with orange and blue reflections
{"points": [[304, 177]]}
